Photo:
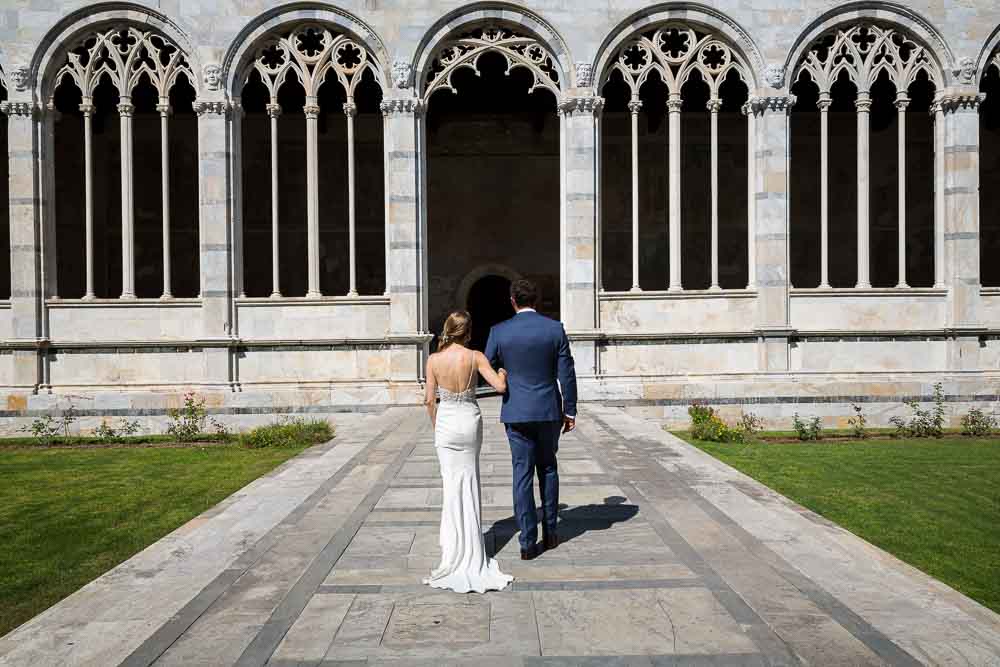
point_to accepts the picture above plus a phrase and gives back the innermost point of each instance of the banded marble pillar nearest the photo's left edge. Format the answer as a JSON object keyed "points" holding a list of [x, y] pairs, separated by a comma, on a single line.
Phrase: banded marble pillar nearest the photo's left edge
{"points": [[24, 202]]}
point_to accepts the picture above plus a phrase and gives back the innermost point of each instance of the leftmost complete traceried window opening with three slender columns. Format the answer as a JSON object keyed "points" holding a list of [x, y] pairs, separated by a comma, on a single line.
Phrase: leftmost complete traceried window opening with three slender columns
{"points": [[124, 121]]}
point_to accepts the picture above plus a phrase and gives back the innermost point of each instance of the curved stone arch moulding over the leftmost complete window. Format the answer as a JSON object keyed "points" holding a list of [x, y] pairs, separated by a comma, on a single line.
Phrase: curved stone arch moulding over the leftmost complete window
{"points": [[54, 48]]}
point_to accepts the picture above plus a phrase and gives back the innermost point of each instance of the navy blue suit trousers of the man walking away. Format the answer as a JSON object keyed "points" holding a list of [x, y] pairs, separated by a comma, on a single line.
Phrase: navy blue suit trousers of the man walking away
{"points": [[533, 447]]}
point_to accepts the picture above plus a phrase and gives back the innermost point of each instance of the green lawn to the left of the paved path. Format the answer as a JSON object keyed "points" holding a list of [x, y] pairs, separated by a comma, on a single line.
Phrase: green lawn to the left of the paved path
{"points": [[69, 515]]}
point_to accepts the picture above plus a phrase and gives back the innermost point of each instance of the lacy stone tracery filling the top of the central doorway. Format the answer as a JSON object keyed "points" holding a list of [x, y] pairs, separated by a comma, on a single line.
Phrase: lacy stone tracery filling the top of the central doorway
{"points": [[519, 51]]}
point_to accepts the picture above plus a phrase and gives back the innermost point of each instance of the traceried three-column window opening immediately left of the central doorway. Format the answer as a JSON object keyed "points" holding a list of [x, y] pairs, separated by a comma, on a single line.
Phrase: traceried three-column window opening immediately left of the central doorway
{"points": [[315, 173]]}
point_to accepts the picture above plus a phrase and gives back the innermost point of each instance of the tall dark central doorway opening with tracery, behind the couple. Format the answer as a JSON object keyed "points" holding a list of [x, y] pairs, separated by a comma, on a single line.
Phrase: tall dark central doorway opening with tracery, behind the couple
{"points": [[493, 175]]}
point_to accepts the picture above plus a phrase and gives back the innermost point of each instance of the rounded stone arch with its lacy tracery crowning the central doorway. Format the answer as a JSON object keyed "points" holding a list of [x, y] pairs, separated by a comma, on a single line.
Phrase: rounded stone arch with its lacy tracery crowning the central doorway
{"points": [[438, 38]]}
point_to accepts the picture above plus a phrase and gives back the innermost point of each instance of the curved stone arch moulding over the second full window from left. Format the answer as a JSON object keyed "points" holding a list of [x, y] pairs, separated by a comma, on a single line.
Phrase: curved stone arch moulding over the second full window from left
{"points": [[239, 57]]}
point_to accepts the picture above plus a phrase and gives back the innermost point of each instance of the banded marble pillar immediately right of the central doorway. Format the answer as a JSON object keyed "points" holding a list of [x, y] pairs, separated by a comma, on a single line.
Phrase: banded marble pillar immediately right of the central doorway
{"points": [[579, 242]]}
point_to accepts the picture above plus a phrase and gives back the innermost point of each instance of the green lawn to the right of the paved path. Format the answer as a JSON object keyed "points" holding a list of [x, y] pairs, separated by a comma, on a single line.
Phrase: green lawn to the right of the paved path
{"points": [[932, 503]]}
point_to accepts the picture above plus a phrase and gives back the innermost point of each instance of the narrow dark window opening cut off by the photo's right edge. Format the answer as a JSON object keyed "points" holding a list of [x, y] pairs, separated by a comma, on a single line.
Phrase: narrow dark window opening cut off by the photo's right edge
{"points": [[989, 174]]}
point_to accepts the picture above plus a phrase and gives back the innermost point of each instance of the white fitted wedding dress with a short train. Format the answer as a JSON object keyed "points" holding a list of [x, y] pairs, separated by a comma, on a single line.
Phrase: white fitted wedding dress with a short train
{"points": [[458, 437]]}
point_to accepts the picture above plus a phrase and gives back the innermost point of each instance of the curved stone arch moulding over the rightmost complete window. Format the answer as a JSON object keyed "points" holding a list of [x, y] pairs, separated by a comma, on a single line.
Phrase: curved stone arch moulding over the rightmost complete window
{"points": [[886, 14]]}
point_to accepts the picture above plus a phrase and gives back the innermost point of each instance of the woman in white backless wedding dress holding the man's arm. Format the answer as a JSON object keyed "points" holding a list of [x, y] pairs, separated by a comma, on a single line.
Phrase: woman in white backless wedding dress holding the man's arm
{"points": [[458, 435]]}
